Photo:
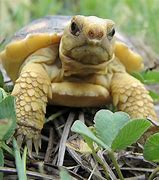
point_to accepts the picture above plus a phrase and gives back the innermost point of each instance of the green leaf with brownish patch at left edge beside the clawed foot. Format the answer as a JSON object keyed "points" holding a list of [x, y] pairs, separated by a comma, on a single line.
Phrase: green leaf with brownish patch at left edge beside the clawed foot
{"points": [[7, 117]]}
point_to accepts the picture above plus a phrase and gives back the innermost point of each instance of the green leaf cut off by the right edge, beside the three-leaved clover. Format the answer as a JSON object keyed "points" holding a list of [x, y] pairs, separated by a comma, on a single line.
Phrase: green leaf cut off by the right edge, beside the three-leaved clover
{"points": [[151, 148]]}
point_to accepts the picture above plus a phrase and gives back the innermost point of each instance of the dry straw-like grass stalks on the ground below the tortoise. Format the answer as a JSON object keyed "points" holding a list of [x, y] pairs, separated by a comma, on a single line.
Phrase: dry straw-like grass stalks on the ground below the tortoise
{"points": [[55, 153]]}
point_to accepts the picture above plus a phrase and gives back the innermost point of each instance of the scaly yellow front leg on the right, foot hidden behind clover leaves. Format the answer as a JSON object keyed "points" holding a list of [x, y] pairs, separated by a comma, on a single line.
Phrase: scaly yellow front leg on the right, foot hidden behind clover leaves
{"points": [[130, 96]]}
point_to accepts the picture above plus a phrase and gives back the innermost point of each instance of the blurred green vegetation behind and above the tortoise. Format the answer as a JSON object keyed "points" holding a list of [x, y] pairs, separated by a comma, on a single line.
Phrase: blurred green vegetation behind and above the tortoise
{"points": [[137, 18]]}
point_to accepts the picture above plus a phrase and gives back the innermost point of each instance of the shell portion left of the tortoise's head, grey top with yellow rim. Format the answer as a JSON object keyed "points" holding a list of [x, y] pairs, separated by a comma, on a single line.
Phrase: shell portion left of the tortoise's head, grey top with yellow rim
{"points": [[38, 34]]}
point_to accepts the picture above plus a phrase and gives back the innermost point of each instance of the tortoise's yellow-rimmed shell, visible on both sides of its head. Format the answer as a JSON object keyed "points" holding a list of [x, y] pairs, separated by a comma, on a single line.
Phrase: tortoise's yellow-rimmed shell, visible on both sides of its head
{"points": [[47, 31]]}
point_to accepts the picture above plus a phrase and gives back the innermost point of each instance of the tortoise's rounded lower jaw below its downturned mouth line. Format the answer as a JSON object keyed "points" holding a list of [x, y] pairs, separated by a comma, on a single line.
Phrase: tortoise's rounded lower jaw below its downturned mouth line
{"points": [[89, 54]]}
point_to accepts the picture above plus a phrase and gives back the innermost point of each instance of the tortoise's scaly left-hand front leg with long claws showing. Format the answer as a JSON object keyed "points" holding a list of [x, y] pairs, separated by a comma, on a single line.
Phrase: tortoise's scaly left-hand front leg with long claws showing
{"points": [[31, 90]]}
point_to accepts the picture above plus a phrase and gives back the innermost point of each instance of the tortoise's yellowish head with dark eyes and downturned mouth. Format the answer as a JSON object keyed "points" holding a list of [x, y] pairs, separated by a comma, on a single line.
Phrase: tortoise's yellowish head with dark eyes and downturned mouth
{"points": [[88, 40]]}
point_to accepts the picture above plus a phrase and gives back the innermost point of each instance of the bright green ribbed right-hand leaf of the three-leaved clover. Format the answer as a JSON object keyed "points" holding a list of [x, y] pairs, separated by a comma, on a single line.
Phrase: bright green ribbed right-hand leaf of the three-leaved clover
{"points": [[130, 133]]}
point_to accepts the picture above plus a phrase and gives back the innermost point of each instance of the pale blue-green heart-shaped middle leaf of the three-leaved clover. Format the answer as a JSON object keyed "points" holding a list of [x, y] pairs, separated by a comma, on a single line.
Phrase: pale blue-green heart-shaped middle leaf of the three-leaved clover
{"points": [[108, 124]]}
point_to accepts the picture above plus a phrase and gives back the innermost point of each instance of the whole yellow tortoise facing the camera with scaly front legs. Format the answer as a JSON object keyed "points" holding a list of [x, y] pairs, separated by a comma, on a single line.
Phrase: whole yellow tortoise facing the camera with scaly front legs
{"points": [[71, 61]]}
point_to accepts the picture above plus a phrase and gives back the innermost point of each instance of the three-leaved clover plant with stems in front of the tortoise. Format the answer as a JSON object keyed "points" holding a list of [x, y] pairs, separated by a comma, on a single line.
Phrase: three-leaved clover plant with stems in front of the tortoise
{"points": [[112, 132]]}
